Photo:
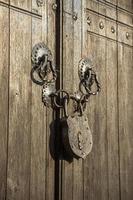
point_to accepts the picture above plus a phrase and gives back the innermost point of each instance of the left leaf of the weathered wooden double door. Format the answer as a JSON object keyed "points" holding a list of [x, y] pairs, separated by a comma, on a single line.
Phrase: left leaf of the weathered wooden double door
{"points": [[26, 167]]}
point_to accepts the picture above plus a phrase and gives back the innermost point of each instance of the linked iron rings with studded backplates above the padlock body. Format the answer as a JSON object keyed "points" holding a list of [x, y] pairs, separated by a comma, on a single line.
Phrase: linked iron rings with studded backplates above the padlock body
{"points": [[43, 66]]}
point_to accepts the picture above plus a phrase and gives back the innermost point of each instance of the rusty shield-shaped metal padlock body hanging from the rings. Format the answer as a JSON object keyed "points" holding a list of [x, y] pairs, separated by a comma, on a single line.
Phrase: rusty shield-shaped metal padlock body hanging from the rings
{"points": [[77, 137]]}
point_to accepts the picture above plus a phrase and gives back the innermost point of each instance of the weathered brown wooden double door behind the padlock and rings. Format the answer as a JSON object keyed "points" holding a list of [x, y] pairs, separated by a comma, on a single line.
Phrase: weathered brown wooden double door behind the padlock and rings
{"points": [[103, 32]]}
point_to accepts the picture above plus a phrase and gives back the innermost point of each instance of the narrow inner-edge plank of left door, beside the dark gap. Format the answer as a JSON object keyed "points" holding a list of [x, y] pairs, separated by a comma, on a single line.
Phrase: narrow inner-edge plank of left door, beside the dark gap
{"points": [[50, 163]]}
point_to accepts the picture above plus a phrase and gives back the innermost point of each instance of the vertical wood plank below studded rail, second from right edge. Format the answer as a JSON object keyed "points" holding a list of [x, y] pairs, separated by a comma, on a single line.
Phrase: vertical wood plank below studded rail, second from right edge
{"points": [[112, 120]]}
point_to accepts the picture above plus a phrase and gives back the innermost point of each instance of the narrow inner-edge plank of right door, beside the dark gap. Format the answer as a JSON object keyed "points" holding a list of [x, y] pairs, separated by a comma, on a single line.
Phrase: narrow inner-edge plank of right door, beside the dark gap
{"points": [[68, 54]]}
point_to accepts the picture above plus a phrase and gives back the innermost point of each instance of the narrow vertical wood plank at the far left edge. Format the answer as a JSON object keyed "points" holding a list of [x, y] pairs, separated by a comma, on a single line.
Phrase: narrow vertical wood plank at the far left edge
{"points": [[4, 70]]}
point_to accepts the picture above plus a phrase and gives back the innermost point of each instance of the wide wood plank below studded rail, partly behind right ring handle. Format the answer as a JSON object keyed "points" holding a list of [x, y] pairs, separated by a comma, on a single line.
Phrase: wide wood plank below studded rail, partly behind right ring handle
{"points": [[95, 165]]}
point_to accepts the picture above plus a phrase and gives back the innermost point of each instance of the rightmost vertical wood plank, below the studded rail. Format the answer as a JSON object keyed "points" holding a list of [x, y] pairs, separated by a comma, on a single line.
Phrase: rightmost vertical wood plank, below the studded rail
{"points": [[125, 84]]}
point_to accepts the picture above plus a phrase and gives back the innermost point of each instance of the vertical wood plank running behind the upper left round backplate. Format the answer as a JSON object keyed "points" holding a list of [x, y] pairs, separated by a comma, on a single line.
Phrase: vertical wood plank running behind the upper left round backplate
{"points": [[38, 129]]}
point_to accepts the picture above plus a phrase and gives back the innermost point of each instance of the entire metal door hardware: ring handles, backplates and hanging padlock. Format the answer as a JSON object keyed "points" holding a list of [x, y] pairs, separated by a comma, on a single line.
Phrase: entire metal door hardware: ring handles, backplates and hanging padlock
{"points": [[76, 133]]}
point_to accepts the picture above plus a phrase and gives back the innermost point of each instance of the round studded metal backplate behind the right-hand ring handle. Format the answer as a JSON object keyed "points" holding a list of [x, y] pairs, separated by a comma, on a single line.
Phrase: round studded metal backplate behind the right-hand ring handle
{"points": [[85, 65]]}
